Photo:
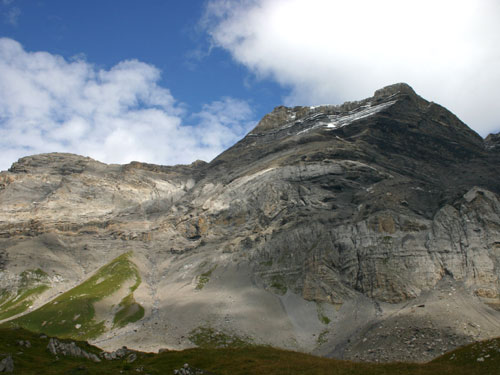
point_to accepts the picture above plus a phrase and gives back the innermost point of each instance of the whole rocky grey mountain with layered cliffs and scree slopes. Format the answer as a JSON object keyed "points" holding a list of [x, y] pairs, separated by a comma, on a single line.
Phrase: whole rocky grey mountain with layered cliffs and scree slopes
{"points": [[367, 231]]}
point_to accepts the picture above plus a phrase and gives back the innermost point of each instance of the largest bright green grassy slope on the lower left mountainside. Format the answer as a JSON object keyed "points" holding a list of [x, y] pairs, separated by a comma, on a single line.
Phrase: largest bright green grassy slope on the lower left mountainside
{"points": [[72, 314]]}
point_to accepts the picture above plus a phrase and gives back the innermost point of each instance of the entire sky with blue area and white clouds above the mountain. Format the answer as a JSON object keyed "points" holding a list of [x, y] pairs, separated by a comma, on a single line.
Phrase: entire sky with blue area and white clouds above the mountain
{"points": [[170, 82]]}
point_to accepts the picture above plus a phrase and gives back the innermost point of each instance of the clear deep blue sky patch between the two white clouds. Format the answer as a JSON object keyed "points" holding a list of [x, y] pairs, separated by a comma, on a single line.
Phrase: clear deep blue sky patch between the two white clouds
{"points": [[163, 33]]}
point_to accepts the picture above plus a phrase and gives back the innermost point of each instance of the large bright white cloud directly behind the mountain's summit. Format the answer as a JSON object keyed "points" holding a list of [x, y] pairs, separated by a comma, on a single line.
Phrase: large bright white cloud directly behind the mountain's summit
{"points": [[329, 51]]}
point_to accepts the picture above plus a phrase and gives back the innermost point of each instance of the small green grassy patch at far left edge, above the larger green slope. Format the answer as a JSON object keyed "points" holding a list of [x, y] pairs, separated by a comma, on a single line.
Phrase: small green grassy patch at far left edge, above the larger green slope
{"points": [[32, 283]]}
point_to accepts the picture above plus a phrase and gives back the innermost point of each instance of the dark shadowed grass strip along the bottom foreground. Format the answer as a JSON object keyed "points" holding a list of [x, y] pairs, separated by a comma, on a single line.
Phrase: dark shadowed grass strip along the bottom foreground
{"points": [[239, 361]]}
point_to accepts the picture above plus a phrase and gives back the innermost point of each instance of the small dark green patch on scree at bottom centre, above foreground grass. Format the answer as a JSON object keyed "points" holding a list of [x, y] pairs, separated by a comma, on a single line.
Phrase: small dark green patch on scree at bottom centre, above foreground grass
{"points": [[207, 337]]}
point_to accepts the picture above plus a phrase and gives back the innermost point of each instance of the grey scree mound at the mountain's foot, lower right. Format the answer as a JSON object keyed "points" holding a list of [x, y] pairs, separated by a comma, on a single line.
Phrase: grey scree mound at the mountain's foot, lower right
{"points": [[436, 322]]}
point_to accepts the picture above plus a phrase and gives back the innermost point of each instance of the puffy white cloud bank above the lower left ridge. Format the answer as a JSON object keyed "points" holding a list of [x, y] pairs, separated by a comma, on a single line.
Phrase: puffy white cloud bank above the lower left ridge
{"points": [[118, 115]]}
